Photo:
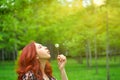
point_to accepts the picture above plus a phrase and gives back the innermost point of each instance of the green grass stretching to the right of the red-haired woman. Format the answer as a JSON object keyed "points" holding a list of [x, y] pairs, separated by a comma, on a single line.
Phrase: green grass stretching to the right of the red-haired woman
{"points": [[78, 71]]}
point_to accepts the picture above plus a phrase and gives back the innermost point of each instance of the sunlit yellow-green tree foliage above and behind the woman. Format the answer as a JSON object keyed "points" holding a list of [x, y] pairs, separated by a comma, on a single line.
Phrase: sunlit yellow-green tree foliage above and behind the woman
{"points": [[51, 21]]}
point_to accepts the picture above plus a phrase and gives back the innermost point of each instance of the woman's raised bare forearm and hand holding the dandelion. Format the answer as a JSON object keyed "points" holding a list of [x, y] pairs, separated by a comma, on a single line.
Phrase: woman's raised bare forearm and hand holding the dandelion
{"points": [[61, 64]]}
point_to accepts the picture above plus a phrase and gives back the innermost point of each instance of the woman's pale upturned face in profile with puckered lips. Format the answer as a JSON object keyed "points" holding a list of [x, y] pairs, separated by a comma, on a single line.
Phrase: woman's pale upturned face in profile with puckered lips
{"points": [[42, 51]]}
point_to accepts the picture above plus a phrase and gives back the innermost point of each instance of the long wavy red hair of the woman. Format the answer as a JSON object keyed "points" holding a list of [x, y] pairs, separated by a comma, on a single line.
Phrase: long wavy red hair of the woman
{"points": [[28, 62]]}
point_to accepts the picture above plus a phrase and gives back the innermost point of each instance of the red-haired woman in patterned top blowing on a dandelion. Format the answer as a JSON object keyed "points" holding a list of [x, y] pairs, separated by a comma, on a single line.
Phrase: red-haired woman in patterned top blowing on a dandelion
{"points": [[33, 63]]}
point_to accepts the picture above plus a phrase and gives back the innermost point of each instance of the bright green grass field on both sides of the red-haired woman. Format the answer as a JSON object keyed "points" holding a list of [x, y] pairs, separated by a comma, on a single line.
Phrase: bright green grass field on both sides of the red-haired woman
{"points": [[75, 71]]}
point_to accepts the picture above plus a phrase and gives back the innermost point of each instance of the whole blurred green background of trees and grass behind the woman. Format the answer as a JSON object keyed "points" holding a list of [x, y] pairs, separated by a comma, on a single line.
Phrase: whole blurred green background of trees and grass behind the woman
{"points": [[87, 32]]}
